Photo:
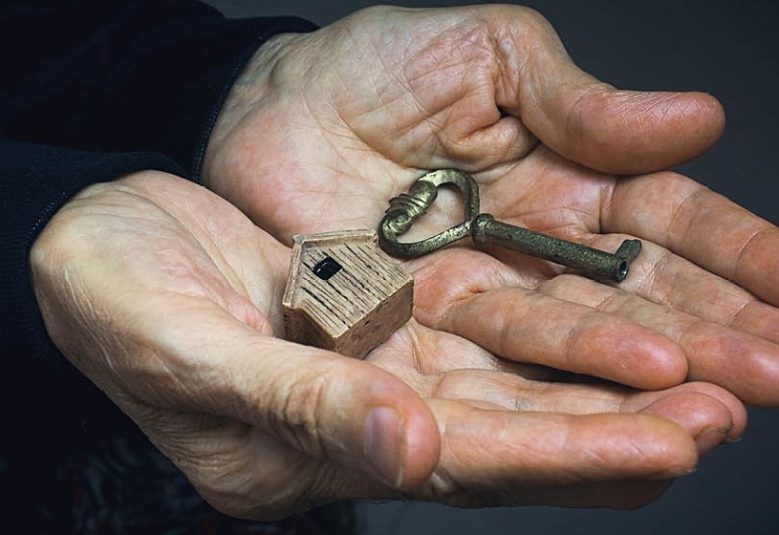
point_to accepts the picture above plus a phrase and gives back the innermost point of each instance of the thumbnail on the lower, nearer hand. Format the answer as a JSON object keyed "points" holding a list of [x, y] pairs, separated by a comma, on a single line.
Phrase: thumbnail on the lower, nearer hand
{"points": [[384, 444]]}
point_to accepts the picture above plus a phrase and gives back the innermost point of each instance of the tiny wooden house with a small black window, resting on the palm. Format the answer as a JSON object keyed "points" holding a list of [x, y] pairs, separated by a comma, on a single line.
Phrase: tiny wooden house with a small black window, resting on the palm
{"points": [[344, 293]]}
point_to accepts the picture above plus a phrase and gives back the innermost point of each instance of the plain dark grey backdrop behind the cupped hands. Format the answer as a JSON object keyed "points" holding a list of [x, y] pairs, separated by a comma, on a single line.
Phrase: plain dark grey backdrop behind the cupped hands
{"points": [[729, 49]]}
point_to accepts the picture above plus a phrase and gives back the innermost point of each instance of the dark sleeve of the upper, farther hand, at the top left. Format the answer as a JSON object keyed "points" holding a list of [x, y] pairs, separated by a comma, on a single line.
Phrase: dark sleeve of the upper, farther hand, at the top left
{"points": [[139, 75]]}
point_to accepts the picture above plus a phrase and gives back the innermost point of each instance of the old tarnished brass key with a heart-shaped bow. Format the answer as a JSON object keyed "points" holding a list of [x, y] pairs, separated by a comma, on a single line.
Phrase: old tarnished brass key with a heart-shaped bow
{"points": [[484, 229]]}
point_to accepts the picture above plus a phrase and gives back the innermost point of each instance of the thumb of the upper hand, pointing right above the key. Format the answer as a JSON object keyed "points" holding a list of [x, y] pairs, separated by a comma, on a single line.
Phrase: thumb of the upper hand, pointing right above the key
{"points": [[591, 122]]}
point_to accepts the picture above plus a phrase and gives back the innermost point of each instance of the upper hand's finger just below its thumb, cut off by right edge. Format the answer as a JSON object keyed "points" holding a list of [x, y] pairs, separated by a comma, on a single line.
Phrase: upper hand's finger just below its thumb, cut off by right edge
{"points": [[700, 225]]}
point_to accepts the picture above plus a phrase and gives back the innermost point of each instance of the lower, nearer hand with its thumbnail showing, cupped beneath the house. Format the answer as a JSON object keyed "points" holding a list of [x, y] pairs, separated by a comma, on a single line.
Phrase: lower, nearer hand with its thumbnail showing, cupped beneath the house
{"points": [[168, 298]]}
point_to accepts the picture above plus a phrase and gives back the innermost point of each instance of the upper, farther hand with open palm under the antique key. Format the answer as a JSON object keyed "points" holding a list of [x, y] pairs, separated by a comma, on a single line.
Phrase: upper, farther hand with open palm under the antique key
{"points": [[337, 122]]}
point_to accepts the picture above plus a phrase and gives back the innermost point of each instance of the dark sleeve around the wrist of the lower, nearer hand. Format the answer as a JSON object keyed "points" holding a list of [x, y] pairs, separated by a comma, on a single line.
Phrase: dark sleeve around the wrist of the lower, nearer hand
{"points": [[35, 379]]}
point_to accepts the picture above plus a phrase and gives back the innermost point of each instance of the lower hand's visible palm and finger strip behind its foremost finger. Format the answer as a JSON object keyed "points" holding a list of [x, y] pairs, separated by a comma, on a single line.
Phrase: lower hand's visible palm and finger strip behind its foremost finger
{"points": [[442, 365]]}
